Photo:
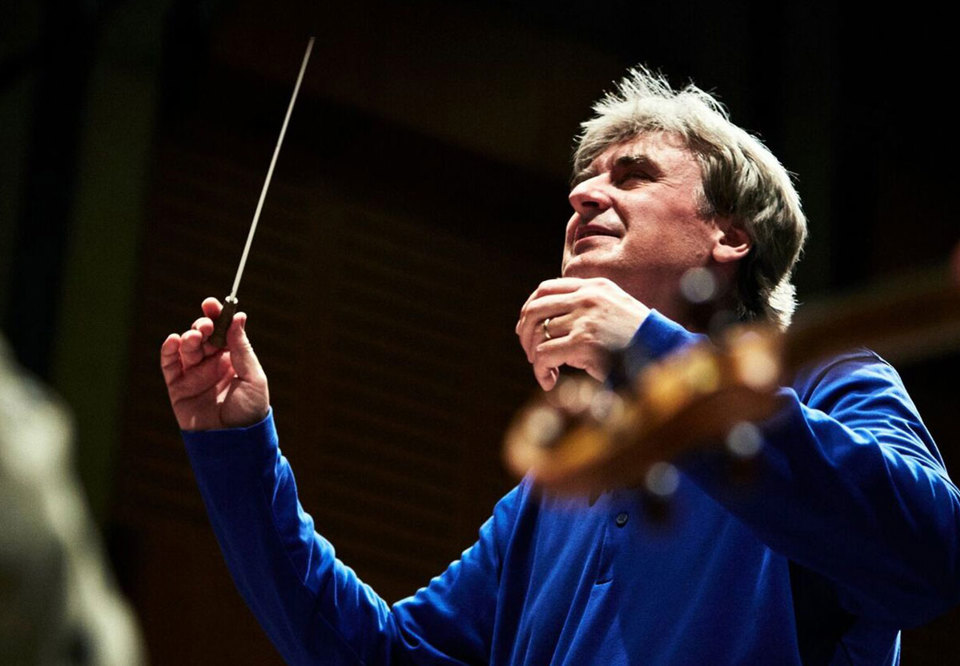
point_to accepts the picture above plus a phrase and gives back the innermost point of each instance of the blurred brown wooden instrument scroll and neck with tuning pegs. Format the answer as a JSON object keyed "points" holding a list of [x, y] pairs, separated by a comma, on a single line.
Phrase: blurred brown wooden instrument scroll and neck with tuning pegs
{"points": [[585, 437]]}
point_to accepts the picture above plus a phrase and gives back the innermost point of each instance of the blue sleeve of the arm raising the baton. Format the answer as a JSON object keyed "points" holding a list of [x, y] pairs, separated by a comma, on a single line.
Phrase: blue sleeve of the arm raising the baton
{"points": [[313, 607]]}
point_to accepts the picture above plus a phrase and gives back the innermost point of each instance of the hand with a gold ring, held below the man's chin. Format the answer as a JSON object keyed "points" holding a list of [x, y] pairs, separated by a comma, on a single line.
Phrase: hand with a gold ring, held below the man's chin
{"points": [[585, 320]]}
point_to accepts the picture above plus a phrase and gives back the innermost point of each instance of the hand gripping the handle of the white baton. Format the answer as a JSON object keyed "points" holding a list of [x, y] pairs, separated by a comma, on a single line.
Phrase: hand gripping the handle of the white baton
{"points": [[213, 388]]}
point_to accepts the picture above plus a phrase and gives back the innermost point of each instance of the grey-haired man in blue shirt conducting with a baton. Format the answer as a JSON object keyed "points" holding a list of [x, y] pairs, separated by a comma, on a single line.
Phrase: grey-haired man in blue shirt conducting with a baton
{"points": [[849, 532]]}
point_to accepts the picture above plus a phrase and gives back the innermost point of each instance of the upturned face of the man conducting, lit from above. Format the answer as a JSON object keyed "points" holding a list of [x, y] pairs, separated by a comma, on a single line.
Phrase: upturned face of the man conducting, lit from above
{"points": [[637, 220]]}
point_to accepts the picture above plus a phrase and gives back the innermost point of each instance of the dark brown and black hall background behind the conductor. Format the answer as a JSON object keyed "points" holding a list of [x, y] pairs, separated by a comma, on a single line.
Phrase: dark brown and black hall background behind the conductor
{"points": [[420, 196]]}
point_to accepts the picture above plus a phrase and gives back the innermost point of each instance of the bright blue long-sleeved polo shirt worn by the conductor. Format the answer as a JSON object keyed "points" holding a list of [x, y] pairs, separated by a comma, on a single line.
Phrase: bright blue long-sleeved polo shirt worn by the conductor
{"points": [[847, 533]]}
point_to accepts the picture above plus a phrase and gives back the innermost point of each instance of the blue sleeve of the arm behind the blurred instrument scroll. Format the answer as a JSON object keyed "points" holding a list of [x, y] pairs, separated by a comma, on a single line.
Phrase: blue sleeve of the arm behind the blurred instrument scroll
{"points": [[849, 484]]}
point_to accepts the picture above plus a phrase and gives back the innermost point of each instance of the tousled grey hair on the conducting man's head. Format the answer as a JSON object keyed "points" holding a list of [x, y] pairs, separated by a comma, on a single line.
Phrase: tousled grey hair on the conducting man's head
{"points": [[741, 179]]}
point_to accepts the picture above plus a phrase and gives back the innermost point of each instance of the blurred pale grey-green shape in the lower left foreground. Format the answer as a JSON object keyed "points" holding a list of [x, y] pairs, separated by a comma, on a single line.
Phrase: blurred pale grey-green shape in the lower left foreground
{"points": [[58, 602]]}
